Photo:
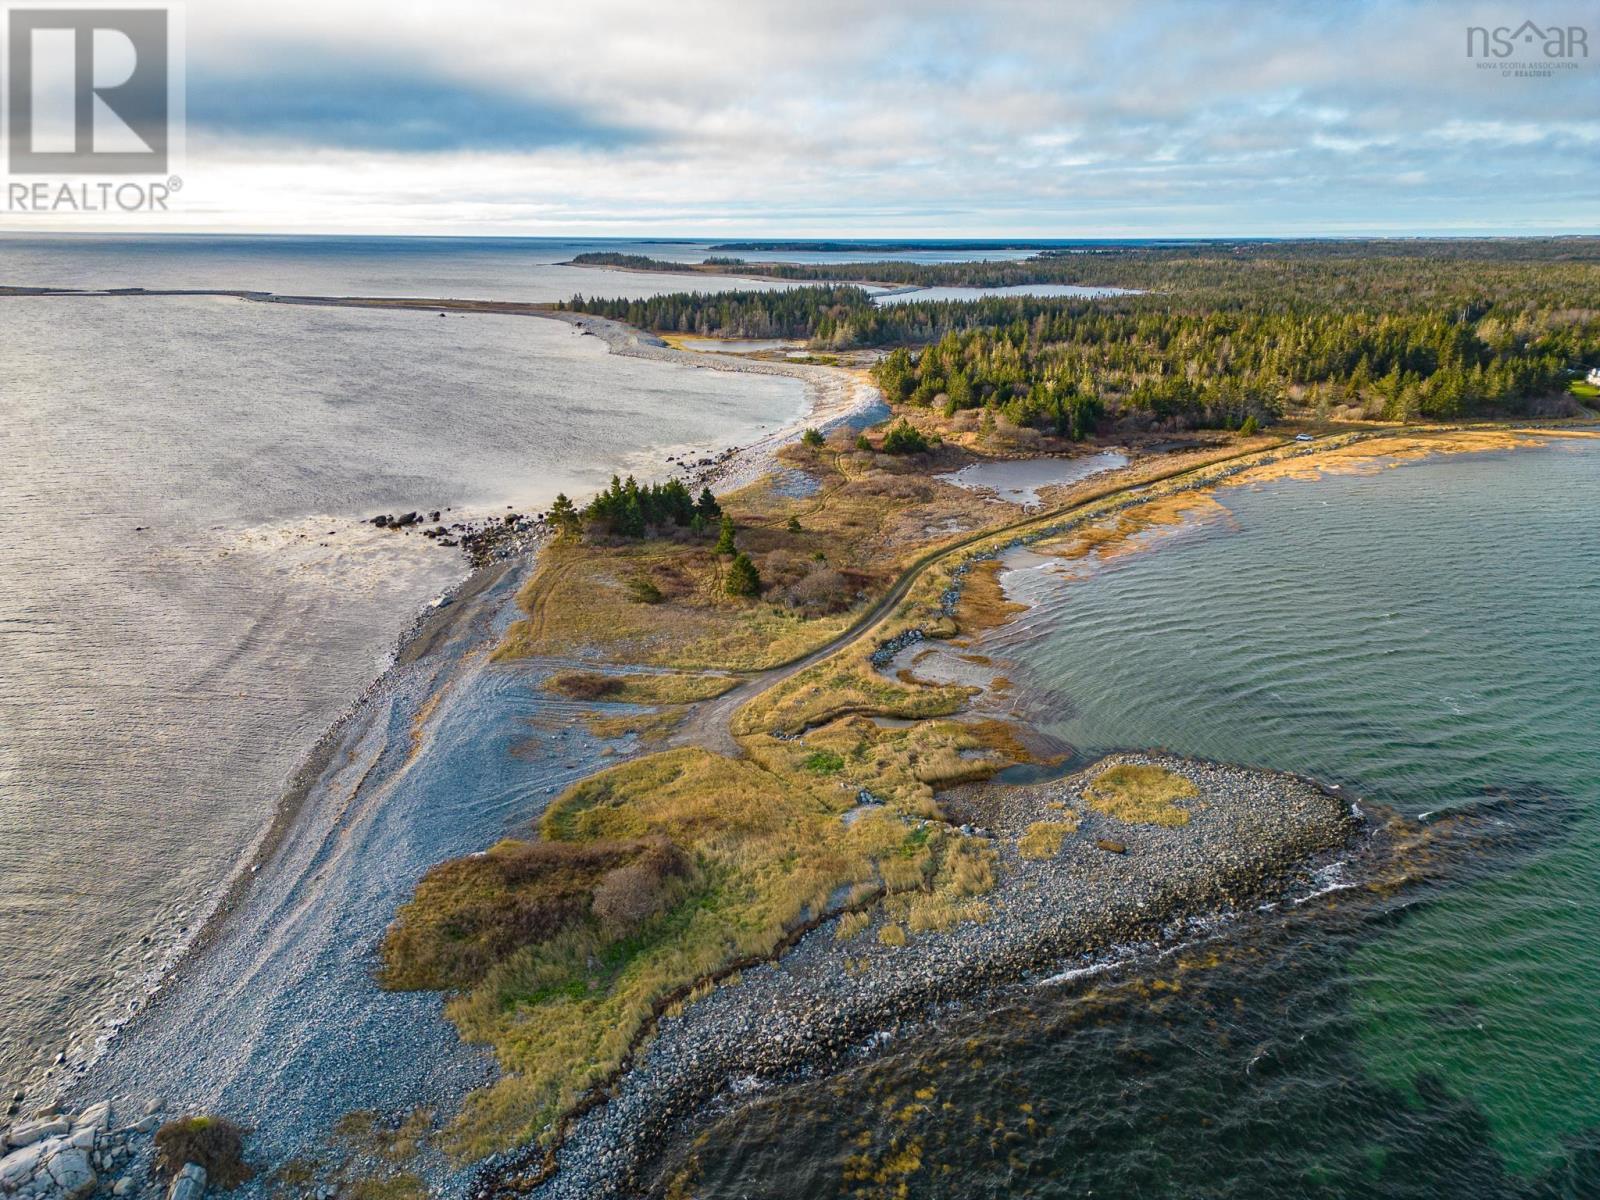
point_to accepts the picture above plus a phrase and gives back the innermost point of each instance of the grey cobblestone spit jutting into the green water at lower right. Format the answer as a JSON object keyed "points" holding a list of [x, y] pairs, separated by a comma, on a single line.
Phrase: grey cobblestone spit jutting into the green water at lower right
{"points": [[1250, 838]]}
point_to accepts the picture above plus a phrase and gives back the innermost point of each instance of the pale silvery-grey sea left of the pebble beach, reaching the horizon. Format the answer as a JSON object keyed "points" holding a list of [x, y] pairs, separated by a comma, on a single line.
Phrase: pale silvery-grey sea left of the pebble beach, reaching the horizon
{"points": [[190, 596]]}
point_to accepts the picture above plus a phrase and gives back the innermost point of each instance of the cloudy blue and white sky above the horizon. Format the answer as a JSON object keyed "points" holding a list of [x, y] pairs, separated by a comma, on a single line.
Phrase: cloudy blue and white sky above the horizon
{"points": [[879, 119]]}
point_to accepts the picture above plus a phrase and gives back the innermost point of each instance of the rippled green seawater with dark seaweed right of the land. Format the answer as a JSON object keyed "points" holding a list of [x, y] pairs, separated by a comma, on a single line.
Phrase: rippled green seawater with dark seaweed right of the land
{"points": [[1426, 638]]}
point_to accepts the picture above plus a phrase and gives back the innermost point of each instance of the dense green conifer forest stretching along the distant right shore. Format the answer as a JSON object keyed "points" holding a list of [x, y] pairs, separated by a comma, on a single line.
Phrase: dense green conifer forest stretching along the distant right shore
{"points": [[1218, 334]]}
